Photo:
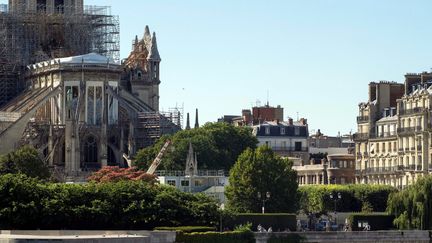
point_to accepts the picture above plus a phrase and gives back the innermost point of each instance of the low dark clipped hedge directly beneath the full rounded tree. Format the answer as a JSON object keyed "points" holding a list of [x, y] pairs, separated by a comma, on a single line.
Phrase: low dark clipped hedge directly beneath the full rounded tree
{"points": [[278, 221]]}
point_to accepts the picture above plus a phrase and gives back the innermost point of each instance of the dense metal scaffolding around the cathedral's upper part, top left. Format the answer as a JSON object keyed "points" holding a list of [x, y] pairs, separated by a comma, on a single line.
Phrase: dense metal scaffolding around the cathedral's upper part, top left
{"points": [[30, 35]]}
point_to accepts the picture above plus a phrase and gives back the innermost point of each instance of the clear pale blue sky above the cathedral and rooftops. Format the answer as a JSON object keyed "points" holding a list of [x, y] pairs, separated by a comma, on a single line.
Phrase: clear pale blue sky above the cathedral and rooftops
{"points": [[313, 57]]}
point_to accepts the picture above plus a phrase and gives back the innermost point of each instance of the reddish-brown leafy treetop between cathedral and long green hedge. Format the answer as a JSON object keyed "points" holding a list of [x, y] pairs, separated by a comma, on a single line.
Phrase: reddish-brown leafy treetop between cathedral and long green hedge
{"points": [[115, 173]]}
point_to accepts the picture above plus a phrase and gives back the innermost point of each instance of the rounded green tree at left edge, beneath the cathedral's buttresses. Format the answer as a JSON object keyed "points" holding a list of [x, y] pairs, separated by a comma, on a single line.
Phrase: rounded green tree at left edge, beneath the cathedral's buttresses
{"points": [[24, 160]]}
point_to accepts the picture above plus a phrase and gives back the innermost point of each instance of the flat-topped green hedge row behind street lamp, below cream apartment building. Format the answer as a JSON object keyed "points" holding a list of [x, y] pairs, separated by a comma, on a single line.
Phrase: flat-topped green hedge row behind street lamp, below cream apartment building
{"points": [[355, 198]]}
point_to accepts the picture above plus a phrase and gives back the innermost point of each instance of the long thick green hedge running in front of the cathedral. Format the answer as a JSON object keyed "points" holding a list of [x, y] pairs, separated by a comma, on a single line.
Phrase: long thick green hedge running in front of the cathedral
{"points": [[28, 203]]}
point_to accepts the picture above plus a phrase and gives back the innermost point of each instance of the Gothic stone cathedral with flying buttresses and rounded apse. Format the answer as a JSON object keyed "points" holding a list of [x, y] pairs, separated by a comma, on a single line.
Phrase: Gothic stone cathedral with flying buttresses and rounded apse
{"points": [[84, 111]]}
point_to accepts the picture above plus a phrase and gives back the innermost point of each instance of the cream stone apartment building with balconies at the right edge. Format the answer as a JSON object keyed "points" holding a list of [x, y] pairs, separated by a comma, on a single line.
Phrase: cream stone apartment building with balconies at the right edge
{"points": [[393, 140]]}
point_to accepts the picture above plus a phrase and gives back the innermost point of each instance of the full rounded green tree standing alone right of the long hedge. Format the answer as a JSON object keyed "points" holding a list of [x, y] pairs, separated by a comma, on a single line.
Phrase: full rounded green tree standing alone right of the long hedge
{"points": [[261, 171]]}
